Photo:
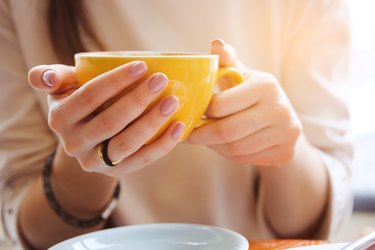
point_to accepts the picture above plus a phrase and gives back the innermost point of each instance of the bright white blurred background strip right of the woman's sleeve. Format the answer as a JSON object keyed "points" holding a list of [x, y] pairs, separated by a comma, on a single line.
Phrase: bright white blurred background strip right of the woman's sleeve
{"points": [[362, 108]]}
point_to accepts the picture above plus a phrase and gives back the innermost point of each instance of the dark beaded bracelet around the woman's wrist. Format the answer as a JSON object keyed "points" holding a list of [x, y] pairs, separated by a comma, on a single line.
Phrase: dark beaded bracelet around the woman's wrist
{"points": [[64, 215]]}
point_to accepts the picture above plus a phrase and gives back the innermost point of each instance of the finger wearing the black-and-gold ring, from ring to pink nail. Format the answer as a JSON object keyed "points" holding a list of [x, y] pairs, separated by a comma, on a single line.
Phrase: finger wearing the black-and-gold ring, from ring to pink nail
{"points": [[136, 135]]}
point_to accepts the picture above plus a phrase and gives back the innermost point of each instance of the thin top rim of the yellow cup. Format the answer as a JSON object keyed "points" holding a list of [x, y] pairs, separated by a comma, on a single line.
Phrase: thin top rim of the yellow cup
{"points": [[144, 53]]}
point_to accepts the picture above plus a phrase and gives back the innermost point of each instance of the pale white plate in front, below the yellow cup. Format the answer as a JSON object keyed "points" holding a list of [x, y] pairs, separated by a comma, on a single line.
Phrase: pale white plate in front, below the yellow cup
{"points": [[169, 236]]}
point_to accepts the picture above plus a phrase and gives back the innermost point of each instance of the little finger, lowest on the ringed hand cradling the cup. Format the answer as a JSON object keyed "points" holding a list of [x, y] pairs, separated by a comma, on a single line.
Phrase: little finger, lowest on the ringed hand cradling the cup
{"points": [[151, 152]]}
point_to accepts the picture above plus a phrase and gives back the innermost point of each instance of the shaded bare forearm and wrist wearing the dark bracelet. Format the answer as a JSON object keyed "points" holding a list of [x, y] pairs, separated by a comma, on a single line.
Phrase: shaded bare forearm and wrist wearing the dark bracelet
{"points": [[84, 195]]}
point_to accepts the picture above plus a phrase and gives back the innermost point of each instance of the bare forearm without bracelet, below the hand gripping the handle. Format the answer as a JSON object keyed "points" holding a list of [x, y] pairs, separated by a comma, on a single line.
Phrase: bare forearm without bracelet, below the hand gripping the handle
{"points": [[296, 194]]}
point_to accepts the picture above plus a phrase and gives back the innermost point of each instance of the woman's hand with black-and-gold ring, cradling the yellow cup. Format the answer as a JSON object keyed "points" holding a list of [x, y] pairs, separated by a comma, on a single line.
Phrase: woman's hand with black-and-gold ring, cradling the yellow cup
{"points": [[73, 117]]}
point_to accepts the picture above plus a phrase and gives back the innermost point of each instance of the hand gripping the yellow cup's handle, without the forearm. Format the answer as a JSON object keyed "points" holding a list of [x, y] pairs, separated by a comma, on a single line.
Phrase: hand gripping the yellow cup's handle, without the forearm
{"points": [[255, 124]]}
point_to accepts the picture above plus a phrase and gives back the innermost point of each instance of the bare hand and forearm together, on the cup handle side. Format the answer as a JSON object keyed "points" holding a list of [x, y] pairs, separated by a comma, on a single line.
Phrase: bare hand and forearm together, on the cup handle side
{"points": [[262, 129]]}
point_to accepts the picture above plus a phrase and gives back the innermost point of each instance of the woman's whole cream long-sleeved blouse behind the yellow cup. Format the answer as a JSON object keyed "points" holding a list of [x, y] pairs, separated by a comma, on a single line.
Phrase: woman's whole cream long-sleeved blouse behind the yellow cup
{"points": [[304, 44]]}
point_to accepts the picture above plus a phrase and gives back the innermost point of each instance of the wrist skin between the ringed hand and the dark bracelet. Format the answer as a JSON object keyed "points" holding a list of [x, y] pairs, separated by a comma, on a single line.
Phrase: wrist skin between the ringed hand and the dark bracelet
{"points": [[84, 195]]}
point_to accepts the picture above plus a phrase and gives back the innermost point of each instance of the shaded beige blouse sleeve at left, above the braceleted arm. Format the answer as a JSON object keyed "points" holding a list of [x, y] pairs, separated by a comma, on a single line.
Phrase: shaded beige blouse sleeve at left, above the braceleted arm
{"points": [[25, 138]]}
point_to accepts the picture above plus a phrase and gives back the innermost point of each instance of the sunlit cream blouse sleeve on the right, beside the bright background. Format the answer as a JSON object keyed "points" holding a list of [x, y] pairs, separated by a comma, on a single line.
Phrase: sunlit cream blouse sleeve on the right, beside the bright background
{"points": [[314, 76]]}
